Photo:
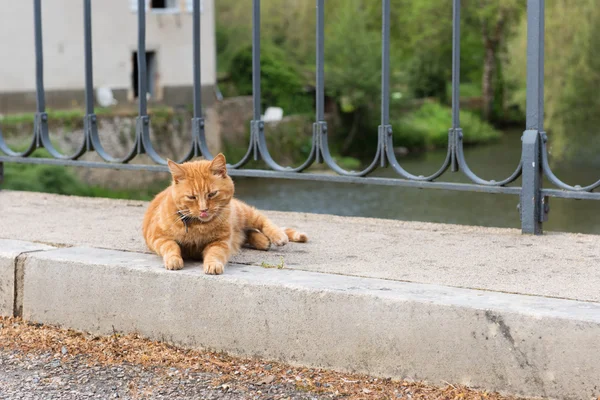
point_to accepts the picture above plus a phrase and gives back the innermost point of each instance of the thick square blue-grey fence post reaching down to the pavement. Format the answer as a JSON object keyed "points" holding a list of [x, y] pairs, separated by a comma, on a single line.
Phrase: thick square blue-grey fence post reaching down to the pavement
{"points": [[531, 202]]}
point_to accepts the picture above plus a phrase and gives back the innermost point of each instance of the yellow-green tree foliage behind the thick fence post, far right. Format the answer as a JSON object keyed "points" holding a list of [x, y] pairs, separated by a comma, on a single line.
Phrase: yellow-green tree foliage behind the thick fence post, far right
{"points": [[572, 76]]}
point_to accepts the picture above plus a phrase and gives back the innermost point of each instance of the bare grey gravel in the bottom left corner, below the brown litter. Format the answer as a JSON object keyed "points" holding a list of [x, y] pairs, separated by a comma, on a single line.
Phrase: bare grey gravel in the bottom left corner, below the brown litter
{"points": [[46, 377]]}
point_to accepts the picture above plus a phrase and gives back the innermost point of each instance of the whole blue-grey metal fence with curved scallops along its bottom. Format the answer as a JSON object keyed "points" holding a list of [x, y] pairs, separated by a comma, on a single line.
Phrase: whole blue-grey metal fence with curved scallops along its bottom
{"points": [[533, 167]]}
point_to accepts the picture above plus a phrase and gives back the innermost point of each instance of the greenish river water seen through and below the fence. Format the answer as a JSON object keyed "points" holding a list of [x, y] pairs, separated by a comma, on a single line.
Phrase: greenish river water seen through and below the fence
{"points": [[496, 161]]}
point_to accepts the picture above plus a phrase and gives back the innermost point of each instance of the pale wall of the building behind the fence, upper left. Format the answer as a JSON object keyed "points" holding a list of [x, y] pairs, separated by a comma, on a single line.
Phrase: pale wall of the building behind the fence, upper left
{"points": [[114, 27]]}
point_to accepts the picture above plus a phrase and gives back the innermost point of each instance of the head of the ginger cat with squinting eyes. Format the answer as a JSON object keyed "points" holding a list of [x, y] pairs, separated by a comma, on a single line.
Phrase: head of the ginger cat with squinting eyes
{"points": [[201, 189]]}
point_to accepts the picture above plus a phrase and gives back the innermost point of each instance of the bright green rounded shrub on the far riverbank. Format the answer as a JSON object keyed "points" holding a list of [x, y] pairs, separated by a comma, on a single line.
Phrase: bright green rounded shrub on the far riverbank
{"points": [[428, 126]]}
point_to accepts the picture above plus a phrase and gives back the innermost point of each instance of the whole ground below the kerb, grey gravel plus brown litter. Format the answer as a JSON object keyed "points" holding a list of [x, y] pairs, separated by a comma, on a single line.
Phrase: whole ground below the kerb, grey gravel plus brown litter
{"points": [[45, 362]]}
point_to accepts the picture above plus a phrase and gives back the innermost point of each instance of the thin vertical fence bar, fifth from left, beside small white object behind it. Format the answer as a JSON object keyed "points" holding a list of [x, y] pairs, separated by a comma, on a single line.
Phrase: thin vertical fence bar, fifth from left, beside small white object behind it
{"points": [[256, 126]]}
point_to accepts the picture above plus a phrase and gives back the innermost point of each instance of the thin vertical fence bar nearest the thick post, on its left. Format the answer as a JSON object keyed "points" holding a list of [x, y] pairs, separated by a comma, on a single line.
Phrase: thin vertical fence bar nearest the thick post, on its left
{"points": [[456, 131]]}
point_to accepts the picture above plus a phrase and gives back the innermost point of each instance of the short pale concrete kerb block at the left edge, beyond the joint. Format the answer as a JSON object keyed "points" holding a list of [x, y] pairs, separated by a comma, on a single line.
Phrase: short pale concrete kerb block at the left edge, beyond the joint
{"points": [[10, 269]]}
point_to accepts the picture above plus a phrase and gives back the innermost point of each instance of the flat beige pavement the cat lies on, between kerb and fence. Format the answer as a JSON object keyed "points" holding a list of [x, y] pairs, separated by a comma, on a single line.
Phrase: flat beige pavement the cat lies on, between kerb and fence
{"points": [[555, 265]]}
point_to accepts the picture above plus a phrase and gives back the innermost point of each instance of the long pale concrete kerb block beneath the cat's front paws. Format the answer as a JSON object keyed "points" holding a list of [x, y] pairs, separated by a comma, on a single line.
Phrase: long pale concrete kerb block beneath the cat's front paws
{"points": [[525, 345]]}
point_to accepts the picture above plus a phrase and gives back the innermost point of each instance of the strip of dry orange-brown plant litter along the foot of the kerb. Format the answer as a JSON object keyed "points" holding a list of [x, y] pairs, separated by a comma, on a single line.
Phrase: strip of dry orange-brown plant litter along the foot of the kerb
{"points": [[116, 349]]}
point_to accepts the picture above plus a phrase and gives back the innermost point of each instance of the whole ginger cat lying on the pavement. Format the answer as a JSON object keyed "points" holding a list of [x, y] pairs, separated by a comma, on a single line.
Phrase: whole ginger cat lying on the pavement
{"points": [[198, 216]]}
